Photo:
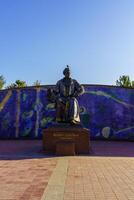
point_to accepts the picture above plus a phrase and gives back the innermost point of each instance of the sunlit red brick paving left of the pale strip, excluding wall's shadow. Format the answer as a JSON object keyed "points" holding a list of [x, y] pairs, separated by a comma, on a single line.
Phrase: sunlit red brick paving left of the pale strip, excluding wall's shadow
{"points": [[25, 179]]}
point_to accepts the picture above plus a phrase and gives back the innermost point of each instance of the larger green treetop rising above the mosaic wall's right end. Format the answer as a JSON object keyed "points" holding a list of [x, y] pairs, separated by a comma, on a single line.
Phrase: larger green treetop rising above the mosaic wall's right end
{"points": [[124, 81]]}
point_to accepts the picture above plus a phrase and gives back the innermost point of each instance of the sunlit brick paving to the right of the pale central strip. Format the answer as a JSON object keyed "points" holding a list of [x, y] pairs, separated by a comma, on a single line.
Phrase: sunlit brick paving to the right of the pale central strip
{"points": [[95, 178]]}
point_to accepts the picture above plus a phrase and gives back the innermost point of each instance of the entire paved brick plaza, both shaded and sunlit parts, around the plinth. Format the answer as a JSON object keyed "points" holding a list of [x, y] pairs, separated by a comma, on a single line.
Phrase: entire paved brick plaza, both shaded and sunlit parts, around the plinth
{"points": [[27, 173]]}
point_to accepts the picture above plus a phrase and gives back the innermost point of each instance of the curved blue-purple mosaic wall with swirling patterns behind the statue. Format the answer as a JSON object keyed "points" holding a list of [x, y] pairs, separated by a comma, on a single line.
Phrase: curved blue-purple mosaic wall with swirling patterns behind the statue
{"points": [[107, 111]]}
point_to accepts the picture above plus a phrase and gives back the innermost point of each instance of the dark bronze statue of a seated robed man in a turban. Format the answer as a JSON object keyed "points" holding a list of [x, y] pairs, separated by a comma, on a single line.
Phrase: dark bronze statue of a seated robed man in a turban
{"points": [[64, 95]]}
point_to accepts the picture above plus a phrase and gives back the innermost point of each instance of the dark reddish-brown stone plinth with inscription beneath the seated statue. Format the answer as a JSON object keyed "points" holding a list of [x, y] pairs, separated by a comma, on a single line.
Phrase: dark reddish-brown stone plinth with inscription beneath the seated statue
{"points": [[66, 140]]}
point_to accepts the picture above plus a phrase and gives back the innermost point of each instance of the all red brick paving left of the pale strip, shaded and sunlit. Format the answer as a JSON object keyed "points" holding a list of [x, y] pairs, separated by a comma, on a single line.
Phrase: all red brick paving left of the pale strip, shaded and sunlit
{"points": [[24, 171]]}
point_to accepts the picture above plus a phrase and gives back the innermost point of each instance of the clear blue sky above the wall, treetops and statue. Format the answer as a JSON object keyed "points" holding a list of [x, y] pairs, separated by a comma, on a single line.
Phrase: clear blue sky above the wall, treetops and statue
{"points": [[38, 38]]}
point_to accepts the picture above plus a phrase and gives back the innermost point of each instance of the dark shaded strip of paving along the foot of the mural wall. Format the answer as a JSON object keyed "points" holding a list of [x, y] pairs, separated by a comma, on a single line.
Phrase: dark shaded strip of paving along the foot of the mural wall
{"points": [[32, 149]]}
